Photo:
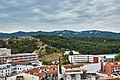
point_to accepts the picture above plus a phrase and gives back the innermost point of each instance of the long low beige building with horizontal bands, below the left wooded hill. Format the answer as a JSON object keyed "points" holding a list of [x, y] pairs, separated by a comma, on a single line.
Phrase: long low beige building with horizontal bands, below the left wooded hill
{"points": [[27, 57]]}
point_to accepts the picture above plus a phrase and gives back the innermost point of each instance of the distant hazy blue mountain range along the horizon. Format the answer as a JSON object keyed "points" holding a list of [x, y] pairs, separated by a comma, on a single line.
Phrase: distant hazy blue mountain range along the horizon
{"points": [[66, 33]]}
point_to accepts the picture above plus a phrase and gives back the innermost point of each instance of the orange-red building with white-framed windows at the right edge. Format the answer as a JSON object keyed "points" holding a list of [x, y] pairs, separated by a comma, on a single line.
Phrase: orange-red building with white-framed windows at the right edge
{"points": [[111, 68]]}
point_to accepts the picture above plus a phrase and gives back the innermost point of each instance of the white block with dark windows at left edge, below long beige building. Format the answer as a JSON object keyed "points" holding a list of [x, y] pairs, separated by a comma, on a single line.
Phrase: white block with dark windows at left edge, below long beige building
{"points": [[5, 70]]}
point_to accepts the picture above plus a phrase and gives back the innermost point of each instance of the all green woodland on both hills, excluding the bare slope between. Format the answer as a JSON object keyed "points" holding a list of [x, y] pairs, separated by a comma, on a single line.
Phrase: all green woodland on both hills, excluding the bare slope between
{"points": [[85, 45]]}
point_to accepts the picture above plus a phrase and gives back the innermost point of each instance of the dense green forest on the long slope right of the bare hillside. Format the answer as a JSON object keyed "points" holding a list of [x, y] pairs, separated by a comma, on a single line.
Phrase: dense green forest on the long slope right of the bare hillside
{"points": [[85, 45]]}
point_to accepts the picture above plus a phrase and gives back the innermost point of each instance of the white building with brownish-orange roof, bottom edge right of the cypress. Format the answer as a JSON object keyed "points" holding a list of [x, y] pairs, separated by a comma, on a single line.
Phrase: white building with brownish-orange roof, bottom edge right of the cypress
{"points": [[75, 72]]}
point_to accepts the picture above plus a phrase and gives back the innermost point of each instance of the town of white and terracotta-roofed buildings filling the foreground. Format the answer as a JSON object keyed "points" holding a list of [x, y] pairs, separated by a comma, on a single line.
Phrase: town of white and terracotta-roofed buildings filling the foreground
{"points": [[27, 66]]}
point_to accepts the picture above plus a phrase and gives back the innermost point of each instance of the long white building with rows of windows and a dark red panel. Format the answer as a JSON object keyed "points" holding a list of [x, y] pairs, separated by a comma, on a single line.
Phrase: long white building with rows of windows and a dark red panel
{"points": [[86, 58]]}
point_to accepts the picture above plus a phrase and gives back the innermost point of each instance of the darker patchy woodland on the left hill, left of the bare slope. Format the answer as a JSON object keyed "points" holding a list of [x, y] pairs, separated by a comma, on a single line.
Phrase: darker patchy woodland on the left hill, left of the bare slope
{"points": [[20, 45]]}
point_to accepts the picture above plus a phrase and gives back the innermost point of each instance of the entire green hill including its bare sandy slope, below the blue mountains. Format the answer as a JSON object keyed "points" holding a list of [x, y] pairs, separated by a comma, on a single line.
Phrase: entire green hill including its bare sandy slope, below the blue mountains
{"points": [[47, 45]]}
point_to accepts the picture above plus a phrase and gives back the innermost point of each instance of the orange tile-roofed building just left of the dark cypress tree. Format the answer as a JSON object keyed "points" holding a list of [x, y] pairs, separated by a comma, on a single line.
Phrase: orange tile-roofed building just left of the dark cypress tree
{"points": [[46, 72]]}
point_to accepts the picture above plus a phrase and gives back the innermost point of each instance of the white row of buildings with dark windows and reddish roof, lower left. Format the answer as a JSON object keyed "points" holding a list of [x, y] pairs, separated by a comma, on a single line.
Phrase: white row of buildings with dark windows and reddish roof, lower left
{"points": [[13, 68]]}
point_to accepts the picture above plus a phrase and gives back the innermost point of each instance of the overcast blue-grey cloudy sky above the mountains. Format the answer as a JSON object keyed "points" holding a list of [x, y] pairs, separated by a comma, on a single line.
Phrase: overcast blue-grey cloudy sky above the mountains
{"points": [[51, 15]]}
